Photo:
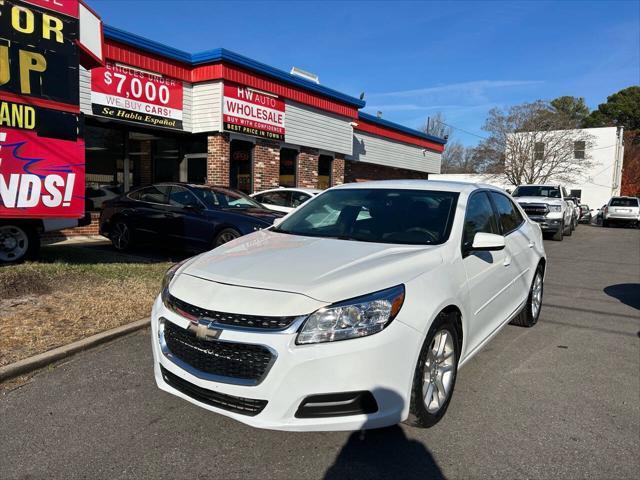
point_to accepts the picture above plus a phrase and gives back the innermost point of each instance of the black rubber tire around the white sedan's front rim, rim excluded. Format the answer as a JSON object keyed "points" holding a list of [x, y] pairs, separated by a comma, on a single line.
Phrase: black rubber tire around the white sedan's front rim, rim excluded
{"points": [[418, 414]]}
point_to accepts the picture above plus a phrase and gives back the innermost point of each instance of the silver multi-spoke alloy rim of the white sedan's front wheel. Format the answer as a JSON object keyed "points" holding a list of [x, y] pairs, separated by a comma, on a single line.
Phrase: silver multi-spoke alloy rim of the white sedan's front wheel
{"points": [[439, 367]]}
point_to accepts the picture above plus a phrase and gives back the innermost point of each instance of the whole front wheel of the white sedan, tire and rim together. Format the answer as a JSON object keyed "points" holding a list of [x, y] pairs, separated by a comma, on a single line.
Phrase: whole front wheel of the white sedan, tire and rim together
{"points": [[435, 374]]}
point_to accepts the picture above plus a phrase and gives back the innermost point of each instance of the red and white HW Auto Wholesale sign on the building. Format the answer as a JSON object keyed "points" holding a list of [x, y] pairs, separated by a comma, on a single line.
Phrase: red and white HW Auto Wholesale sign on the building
{"points": [[252, 112]]}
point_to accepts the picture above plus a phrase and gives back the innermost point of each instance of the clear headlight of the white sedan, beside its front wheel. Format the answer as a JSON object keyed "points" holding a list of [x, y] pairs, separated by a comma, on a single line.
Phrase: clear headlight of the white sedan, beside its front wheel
{"points": [[353, 318]]}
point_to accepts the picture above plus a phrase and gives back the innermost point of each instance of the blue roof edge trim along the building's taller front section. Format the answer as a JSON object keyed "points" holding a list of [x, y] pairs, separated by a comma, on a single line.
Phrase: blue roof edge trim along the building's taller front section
{"points": [[222, 54]]}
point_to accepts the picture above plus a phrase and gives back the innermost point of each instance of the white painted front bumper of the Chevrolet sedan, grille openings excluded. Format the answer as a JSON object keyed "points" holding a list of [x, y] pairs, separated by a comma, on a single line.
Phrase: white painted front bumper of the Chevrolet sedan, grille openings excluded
{"points": [[382, 364]]}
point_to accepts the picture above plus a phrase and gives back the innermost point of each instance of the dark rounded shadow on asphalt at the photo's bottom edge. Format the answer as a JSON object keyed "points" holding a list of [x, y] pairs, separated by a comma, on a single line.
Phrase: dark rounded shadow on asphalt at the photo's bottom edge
{"points": [[383, 454]]}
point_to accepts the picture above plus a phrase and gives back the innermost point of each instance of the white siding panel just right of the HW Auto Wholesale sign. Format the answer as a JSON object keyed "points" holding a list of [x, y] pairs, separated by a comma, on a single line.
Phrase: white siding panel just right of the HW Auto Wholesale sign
{"points": [[309, 127]]}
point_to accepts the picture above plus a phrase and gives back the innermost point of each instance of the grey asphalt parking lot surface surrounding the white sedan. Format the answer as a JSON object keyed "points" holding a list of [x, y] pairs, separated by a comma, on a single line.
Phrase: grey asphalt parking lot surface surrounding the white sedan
{"points": [[560, 400]]}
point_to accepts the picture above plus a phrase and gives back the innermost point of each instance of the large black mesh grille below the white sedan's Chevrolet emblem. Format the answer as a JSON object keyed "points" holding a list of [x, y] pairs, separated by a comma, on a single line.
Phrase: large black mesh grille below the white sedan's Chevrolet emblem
{"points": [[235, 361]]}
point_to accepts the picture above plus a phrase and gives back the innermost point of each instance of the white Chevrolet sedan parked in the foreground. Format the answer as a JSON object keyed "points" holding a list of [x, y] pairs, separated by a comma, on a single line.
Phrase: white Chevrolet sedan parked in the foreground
{"points": [[355, 311]]}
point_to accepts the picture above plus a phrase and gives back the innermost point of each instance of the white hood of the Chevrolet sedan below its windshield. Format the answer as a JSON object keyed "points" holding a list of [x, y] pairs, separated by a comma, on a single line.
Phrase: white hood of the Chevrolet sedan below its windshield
{"points": [[324, 269]]}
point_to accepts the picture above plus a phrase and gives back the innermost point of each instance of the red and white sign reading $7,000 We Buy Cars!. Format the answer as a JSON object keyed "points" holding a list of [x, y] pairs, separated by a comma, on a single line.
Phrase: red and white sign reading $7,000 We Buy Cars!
{"points": [[134, 95]]}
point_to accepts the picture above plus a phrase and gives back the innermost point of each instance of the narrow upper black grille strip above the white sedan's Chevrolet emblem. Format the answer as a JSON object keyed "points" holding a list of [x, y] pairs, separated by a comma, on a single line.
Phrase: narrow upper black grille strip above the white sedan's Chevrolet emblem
{"points": [[231, 319]]}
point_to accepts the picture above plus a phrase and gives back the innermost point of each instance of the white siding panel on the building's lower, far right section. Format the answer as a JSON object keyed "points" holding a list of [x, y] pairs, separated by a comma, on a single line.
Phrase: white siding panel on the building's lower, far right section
{"points": [[383, 151]]}
